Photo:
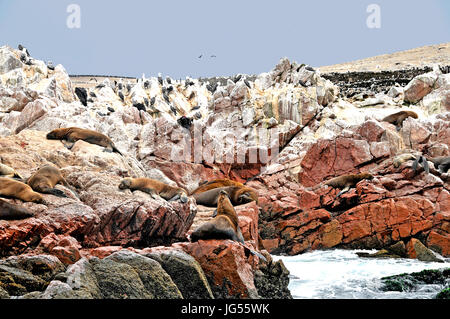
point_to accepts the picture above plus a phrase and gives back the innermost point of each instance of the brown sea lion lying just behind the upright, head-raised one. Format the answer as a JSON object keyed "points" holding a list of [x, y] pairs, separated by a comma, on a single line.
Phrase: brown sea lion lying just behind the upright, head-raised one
{"points": [[238, 194]]}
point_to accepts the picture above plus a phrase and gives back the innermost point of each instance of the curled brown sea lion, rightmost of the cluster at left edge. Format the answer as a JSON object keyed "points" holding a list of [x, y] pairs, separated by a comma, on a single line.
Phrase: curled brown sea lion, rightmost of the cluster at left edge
{"points": [[45, 179]]}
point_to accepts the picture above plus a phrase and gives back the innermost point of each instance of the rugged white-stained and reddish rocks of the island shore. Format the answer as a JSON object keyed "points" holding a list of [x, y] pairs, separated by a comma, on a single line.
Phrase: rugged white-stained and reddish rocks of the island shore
{"points": [[383, 131]]}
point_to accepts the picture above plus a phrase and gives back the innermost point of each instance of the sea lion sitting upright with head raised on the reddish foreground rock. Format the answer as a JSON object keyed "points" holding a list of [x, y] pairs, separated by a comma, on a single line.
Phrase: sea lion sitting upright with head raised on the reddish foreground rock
{"points": [[225, 224]]}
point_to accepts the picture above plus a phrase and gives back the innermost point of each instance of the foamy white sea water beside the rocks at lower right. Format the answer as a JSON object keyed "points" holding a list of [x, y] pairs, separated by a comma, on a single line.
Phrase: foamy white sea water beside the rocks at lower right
{"points": [[341, 274]]}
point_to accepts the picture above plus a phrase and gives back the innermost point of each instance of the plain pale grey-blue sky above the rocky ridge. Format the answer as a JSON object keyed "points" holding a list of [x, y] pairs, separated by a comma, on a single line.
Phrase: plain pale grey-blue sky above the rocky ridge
{"points": [[131, 38]]}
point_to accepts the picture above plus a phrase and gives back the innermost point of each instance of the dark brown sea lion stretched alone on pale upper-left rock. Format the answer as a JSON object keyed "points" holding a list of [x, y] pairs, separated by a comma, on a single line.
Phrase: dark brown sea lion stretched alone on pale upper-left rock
{"points": [[73, 134]]}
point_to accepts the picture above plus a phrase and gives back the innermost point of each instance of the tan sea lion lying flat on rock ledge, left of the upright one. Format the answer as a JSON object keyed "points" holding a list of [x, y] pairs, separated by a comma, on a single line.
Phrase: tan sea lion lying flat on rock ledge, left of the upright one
{"points": [[154, 187]]}
